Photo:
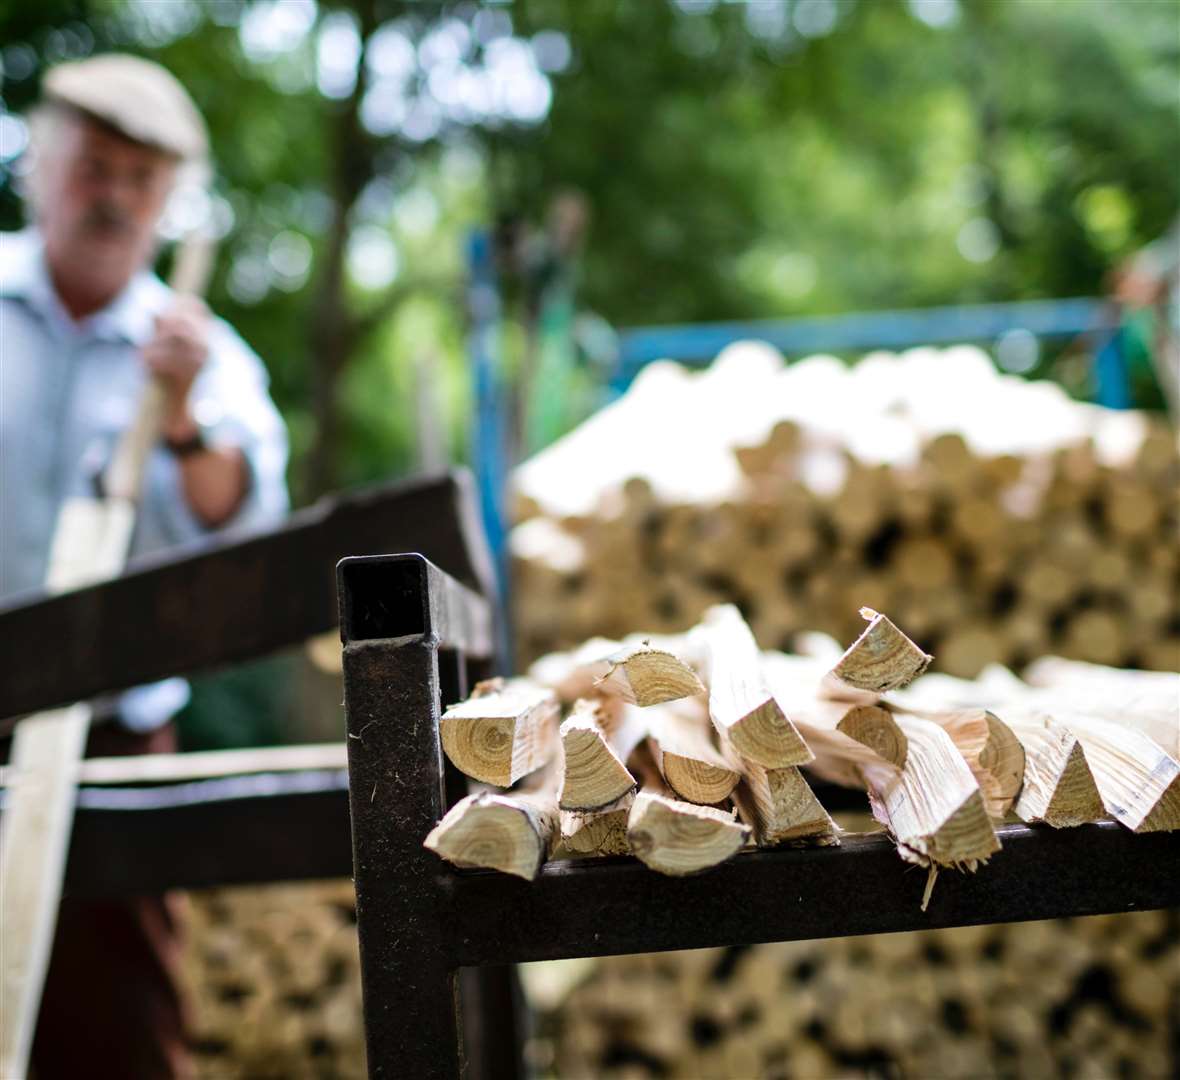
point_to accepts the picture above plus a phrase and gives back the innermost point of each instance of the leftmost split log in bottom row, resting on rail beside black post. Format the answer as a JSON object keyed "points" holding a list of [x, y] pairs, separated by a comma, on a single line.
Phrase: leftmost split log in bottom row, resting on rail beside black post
{"points": [[514, 834]]}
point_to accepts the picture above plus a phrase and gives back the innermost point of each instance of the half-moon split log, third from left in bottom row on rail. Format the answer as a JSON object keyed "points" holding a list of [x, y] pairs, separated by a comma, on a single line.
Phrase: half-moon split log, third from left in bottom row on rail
{"points": [[679, 839]]}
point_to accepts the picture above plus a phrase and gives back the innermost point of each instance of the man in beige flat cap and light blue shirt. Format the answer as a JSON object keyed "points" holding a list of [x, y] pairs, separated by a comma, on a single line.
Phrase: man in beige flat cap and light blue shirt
{"points": [[84, 324]]}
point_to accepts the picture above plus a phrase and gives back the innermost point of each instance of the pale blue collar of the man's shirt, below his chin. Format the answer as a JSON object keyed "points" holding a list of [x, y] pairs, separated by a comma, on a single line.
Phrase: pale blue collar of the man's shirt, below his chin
{"points": [[130, 317]]}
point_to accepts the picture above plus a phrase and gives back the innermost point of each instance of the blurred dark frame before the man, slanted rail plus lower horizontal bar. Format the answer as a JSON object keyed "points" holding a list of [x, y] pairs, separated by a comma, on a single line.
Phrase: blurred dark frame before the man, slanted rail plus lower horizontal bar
{"points": [[217, 604]]}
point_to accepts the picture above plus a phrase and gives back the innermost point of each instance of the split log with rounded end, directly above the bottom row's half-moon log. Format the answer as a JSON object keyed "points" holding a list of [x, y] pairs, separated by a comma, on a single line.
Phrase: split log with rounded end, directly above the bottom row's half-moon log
{"points": [[684, 754]]}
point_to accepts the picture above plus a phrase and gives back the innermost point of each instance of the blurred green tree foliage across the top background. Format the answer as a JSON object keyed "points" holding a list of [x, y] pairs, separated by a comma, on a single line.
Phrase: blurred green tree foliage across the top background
{"points": [[738, 161]]}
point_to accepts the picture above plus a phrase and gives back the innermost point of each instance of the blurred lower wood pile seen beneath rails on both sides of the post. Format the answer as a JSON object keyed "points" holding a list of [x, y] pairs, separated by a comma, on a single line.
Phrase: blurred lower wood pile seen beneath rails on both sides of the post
{"points": [[276, 985]]}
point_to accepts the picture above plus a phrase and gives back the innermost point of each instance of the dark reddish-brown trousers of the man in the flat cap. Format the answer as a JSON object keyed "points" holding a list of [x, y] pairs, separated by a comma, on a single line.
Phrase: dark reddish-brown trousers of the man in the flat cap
{"points": [[113, 1005]]}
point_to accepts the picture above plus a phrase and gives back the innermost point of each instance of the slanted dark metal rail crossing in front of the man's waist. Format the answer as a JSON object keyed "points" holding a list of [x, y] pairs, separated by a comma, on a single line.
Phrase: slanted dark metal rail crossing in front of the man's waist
{"points": [[228, 600]]}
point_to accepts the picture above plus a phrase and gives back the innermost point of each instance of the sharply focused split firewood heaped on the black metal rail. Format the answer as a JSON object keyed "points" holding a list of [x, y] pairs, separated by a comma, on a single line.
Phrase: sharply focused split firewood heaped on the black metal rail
{"points": [[685, 750]]}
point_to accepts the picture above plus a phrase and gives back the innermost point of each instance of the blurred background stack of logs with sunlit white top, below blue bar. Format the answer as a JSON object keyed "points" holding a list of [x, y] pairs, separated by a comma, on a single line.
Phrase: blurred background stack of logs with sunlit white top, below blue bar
{"points": [[994, 518]]}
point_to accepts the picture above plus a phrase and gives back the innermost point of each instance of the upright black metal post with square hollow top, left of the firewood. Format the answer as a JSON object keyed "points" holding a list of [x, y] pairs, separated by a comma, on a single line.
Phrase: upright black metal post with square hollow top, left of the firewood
{"points": [[392, 626]]}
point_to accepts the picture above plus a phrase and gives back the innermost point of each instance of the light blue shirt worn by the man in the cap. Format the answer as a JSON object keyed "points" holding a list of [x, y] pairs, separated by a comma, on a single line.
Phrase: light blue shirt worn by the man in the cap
{"points": [[68, 390]]}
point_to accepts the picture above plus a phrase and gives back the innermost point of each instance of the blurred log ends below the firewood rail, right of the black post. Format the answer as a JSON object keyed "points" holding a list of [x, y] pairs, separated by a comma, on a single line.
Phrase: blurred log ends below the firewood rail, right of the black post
{"points": [[1091, 999]]}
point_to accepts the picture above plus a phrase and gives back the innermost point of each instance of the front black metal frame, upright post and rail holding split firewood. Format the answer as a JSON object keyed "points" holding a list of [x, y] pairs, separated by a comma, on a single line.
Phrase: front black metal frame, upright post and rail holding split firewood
{"points": [[422, 921]]}
